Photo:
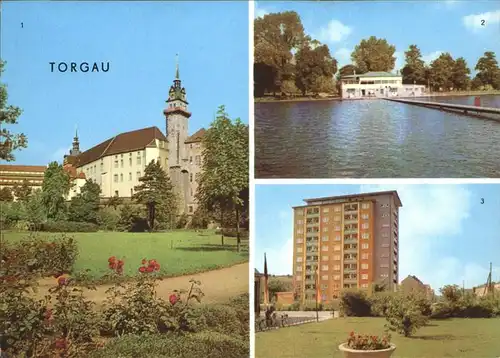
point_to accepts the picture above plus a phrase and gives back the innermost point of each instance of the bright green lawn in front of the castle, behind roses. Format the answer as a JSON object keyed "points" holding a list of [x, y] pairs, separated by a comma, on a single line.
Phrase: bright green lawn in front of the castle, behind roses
{"points": [[178, 252]]}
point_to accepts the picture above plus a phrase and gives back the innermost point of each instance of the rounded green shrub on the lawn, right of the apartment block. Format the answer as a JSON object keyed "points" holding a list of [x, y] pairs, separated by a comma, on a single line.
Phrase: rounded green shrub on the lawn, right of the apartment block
{"points": [[404, 314]]}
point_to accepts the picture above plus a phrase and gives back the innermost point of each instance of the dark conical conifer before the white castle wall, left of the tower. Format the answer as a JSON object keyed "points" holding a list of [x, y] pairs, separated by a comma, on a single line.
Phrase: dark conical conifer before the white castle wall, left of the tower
{"points": [[155, 192]]}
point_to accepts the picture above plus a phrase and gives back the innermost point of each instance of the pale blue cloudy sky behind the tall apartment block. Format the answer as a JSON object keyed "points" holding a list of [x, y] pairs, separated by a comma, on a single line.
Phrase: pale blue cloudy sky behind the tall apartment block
{"points": [[446, 235]]}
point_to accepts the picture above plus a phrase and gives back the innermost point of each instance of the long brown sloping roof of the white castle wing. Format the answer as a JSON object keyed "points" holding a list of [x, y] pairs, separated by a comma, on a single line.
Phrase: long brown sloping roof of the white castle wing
{"points": [[121, 143]]}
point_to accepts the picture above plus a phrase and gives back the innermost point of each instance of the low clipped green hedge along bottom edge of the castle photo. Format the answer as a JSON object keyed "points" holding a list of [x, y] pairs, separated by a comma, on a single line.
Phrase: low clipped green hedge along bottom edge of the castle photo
{"points": [[204, 344]]}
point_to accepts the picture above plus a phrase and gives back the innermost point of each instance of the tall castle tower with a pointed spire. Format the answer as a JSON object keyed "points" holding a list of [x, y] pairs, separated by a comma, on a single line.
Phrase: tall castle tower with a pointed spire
{"points": [[176, 116]]}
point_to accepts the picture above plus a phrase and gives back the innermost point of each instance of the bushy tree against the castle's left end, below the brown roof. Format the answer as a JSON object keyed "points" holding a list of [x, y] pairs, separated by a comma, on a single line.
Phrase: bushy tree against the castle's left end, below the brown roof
{"points": [[85, 206]]}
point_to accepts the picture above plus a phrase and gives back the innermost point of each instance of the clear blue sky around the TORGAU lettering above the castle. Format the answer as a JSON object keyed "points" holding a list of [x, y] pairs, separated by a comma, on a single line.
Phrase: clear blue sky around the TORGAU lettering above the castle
{"points": [[140, 40]]}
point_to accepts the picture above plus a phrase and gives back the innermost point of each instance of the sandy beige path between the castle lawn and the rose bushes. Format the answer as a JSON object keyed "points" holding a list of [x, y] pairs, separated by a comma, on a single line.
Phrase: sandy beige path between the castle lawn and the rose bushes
{"points": [[218, 285]]}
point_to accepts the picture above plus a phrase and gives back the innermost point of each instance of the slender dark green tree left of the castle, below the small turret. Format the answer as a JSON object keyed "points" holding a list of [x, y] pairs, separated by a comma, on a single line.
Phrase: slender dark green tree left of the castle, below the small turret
{"points": [[55, 188]]}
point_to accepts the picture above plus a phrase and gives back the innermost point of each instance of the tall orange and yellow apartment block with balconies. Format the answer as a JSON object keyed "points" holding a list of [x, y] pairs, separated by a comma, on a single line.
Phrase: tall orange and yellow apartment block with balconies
{"points": [[345, 242]]}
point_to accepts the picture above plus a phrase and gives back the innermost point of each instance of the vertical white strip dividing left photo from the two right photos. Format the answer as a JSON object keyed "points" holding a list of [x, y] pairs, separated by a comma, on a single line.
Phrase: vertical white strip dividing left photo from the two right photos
{"points": [[251, 11]]}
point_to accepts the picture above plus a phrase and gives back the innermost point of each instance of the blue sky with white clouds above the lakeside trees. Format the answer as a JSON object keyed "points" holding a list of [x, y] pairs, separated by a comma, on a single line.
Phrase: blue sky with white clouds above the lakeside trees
{"points": [[434, 26]]}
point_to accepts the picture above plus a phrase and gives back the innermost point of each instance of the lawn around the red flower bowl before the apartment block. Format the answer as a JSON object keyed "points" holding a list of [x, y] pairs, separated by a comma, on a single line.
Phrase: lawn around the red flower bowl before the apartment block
{"points": [[475, 338]]}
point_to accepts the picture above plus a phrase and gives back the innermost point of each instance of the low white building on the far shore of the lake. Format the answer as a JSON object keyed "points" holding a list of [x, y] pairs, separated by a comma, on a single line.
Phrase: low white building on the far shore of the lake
{"points": [[378, 84]]}
